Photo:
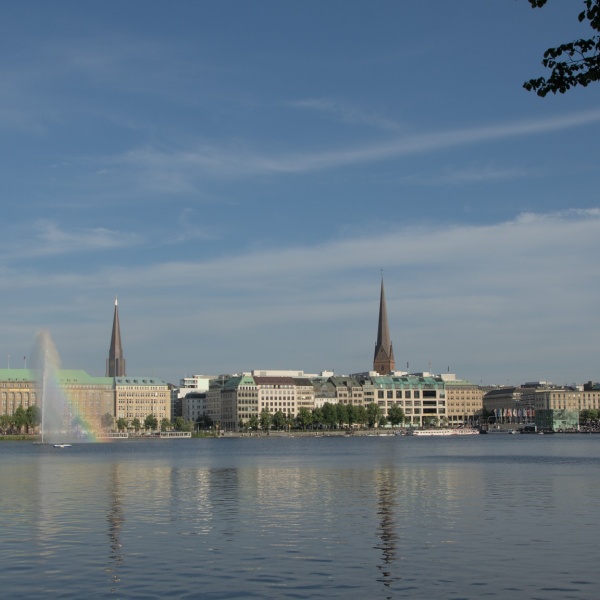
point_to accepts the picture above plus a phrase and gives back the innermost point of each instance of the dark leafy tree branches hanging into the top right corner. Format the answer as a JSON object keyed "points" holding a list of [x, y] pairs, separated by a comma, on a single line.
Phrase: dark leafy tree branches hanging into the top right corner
{"points": [[574, 63]]}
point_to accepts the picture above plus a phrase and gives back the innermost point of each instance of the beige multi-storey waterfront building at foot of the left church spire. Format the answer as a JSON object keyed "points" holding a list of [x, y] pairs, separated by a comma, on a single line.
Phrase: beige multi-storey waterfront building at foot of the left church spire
{"points": [[138, 397]]}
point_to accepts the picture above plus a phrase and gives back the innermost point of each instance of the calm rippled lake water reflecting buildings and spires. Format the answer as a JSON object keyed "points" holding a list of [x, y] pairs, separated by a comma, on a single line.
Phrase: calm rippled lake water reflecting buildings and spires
{"points": [[363, 517]]}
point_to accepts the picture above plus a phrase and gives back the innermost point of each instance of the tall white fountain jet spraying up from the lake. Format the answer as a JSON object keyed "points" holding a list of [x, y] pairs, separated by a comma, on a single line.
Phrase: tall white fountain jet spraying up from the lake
{"points": [[53, 403]]}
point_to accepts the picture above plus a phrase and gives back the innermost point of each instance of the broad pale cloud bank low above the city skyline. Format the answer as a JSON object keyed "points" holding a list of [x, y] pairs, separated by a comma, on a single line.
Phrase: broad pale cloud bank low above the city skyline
{"points": [[461, 295]]}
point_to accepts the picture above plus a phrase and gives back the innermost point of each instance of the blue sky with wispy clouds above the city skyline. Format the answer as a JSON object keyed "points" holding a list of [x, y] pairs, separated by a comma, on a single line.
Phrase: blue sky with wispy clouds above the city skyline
{"points": [[240, 173]]}
